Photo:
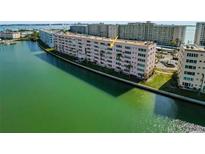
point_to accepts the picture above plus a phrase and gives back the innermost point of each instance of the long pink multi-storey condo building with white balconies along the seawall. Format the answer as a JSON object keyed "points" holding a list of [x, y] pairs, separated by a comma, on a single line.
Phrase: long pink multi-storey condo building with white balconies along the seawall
{"points": [[135, 58]]}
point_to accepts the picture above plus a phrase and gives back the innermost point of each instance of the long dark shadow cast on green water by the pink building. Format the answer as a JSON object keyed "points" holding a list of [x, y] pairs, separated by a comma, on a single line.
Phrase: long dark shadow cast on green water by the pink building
{"points": [[110, 86]]}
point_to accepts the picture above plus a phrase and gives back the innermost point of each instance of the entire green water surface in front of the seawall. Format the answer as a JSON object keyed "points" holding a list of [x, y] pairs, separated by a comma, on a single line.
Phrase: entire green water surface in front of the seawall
{"points": [[40, 93]]}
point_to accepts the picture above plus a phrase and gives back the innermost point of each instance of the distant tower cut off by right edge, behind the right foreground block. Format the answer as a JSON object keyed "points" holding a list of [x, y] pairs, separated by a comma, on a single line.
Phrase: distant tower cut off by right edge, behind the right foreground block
{"points": [[199, 38]]}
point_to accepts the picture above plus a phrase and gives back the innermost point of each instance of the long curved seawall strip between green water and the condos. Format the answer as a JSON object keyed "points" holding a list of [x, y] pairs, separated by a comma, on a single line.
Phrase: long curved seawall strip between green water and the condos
{"points": [[140, 86]]}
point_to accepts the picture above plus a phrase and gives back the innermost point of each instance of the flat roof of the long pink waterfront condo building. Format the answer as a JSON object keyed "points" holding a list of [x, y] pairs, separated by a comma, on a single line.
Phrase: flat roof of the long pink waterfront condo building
{"points": [[96, 38]]}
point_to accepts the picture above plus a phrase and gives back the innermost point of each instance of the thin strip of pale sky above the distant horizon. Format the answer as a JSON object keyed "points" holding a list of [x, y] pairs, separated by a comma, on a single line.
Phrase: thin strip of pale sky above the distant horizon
{"points": [[109, 22]]}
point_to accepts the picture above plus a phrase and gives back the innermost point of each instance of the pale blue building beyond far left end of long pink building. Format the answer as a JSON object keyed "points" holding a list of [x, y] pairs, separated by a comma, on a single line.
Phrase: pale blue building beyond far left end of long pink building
{"points": [[47, 37]]}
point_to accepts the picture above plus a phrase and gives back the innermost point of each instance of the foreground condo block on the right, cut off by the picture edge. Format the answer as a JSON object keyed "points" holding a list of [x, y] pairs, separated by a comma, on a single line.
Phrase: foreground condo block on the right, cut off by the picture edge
{"points": [[191, 68]]}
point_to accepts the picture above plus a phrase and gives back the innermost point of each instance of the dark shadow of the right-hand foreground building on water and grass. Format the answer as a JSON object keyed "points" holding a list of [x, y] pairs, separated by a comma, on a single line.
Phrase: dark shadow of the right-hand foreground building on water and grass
{"points": [[178, 109]]}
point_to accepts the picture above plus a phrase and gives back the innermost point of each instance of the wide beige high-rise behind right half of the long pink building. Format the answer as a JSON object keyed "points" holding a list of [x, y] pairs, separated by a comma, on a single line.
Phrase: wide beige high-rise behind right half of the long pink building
{"points": [[161, 34]]}
